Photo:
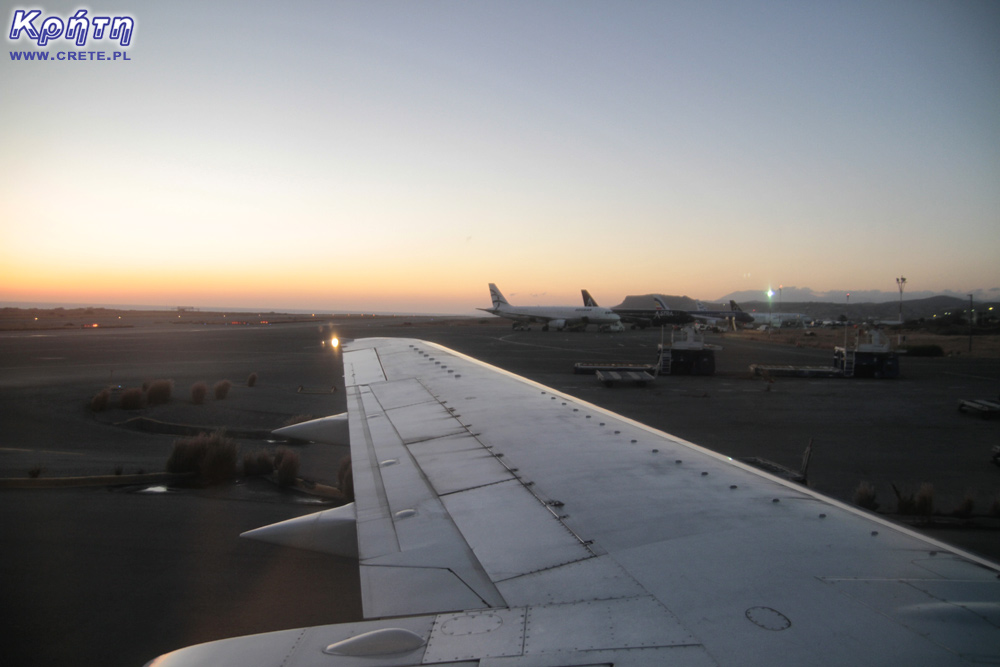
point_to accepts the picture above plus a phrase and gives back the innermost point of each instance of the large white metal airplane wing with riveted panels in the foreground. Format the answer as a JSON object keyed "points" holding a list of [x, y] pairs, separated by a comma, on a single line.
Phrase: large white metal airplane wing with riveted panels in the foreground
{"points": [[500, 523]]}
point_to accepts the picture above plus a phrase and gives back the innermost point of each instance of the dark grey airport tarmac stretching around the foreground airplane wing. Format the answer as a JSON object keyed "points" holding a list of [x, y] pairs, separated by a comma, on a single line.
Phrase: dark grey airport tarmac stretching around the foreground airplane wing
{"points": [[118, 577]]}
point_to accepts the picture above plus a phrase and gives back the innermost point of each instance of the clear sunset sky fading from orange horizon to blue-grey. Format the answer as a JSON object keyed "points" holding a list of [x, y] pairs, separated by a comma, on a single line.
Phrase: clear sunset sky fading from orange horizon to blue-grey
{"points": [[401, 155]]}
